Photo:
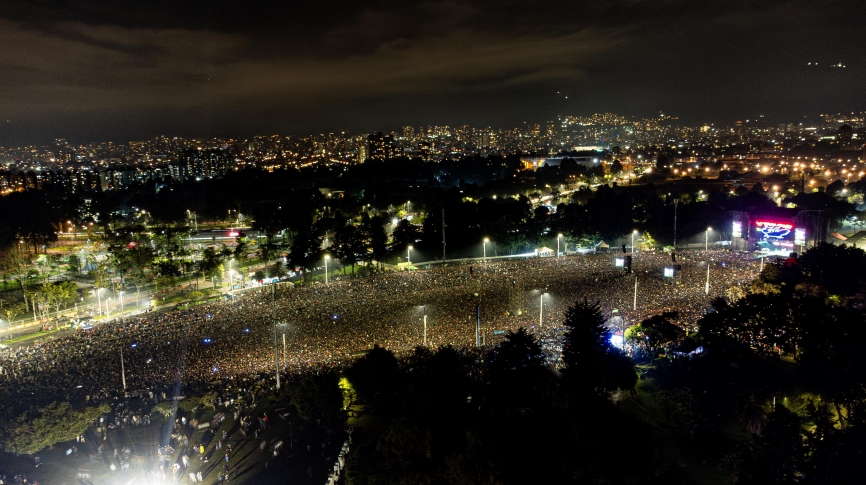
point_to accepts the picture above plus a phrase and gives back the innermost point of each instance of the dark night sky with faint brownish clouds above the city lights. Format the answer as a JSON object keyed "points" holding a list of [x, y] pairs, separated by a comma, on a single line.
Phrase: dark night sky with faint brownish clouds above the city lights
{"points": [[123, 70]]}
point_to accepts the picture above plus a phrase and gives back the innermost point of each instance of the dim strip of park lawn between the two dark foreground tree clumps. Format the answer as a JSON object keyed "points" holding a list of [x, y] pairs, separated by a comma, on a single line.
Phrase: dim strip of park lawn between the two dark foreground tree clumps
{"points": [[697, 460]]}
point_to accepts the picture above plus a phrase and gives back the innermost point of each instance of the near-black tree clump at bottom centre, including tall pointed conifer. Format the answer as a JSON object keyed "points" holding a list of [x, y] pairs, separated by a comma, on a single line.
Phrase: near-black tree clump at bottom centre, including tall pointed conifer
{"points": [[502, 416]]}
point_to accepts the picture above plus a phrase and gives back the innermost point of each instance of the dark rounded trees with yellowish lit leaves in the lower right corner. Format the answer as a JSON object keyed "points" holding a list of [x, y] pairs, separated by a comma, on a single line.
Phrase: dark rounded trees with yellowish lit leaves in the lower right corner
{"points": [[787, 361]]}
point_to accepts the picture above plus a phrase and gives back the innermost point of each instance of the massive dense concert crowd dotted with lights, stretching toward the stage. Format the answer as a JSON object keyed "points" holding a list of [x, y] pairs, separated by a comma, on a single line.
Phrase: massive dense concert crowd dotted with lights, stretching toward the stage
{"points": [[321, 325]]}
